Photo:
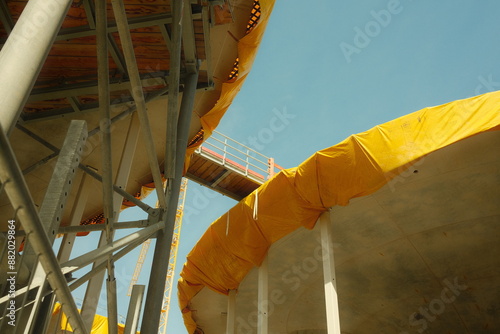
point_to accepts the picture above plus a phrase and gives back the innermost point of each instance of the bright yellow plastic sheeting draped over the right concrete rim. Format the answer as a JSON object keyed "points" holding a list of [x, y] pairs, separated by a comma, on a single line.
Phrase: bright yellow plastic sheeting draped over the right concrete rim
{"points": [[296, 197]]}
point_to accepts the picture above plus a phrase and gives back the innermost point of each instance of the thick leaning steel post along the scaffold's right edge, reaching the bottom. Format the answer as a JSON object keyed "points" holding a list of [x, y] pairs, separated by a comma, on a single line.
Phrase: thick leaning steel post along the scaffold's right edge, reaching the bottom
{"points": [[159, 269]]}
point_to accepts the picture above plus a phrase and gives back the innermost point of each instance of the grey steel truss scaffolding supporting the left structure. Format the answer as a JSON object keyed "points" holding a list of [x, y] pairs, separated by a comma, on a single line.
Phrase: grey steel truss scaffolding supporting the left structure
{"points": [[43, 275]]}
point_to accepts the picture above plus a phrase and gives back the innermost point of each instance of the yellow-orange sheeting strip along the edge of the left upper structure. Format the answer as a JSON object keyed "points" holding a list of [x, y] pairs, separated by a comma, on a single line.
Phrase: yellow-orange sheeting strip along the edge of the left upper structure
{"points": [[247, 51]]}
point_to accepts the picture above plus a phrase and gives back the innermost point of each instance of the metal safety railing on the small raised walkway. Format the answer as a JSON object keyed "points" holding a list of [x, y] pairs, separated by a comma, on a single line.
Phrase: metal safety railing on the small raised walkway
{"points": [[238, 157]]}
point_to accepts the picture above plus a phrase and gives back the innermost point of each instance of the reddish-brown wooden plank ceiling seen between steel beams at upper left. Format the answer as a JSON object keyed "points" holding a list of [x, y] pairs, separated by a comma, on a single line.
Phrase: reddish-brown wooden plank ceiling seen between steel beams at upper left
{"points": [[72, 62]]}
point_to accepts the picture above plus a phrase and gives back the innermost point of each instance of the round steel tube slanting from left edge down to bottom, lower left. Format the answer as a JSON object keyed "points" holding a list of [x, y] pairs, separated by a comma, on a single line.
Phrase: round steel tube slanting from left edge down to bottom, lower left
{"points": [[20, 198]]}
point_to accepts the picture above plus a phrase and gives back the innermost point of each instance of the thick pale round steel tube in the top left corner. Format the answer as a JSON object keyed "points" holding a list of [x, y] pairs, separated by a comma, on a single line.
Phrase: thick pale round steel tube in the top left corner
{"points": [[24, 54]]}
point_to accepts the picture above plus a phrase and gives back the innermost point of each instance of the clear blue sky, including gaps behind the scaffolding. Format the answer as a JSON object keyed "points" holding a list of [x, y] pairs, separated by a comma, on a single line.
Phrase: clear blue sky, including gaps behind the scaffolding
{"points": [[425, 53]]}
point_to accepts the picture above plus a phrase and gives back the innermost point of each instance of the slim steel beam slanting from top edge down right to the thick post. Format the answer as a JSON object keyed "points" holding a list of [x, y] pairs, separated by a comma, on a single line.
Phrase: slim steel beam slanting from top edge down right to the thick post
{"points": [[137, 93]]}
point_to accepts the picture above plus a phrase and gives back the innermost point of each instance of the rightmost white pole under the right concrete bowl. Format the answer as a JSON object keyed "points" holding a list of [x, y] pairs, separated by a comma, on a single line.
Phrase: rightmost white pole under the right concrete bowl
{"points": [[331, 300]]}
